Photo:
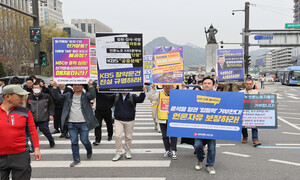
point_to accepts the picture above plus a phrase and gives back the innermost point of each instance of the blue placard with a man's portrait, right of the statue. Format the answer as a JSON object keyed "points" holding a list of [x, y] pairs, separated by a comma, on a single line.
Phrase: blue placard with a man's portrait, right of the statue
{"points": [[230, 64]]}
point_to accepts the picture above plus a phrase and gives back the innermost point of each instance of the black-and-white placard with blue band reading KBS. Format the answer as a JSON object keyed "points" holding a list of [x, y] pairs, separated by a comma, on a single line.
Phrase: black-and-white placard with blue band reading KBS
{"points": [[120, 62]]}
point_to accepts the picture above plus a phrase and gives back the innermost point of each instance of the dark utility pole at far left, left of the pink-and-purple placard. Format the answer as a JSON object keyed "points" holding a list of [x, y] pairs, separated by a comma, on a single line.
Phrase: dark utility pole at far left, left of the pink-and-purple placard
{"points": [[37, 46]]}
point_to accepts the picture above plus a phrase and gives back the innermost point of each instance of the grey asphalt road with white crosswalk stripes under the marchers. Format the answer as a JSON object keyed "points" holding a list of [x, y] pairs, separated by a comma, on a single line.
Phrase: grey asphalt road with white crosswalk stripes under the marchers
{"points": [[277, 158]]}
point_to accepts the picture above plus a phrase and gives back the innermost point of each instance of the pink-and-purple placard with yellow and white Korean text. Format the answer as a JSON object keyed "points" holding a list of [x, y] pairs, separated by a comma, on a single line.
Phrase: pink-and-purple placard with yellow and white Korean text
{"points": [[71, 60]]}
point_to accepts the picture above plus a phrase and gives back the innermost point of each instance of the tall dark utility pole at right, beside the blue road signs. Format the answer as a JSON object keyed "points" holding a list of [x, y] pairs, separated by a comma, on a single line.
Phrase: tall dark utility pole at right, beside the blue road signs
{"points": [[246, 38]]}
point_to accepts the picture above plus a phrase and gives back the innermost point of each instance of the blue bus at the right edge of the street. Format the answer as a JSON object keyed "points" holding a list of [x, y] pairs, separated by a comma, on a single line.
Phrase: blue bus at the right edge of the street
{"points": [[290, 76]]}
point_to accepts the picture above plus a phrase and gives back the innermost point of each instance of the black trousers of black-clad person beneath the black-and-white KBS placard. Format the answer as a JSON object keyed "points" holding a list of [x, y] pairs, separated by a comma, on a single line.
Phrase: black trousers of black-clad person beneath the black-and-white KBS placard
{"points": [[107, 116]]}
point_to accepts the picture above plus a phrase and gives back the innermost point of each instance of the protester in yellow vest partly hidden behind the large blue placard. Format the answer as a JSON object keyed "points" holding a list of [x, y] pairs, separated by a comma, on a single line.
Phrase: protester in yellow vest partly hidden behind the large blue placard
{"points": [[162, 98]]}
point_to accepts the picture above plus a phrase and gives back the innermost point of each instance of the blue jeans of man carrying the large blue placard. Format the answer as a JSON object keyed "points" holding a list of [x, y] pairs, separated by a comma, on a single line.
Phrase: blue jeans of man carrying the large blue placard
{"points": [[211, 152]]}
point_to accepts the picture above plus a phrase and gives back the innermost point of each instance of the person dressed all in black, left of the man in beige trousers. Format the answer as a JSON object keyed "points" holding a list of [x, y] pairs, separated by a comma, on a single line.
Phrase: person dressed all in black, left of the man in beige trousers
{"points": [[103, 111]]}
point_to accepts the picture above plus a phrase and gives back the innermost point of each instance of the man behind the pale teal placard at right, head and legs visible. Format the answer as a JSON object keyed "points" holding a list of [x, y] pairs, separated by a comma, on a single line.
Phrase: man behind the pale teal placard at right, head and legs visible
{"points": [[249, 90]]}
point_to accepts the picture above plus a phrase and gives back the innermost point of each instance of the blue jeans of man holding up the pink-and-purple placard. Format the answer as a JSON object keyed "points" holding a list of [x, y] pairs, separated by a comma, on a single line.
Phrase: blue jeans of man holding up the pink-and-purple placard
{"points": [[74, 130]]}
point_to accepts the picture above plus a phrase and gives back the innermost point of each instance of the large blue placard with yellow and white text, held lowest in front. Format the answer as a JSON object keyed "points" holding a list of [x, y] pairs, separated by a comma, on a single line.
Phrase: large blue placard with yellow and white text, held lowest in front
{"points": [[205, 114]]}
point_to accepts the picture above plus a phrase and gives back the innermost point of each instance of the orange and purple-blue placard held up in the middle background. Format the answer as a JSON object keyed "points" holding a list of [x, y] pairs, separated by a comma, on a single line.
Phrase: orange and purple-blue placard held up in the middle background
{"points": [[168, 65]]}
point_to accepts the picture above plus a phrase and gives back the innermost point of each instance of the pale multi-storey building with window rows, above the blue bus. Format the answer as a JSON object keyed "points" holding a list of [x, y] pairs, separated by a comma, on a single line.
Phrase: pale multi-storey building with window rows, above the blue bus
{"points": [[281, 58]]}
